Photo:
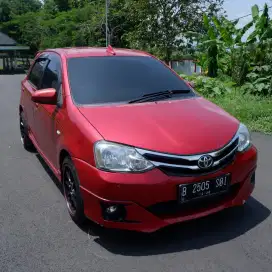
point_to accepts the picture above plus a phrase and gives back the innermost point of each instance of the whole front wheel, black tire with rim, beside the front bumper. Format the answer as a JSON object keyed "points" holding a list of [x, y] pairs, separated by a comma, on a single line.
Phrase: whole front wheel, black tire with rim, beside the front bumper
{"points": [[71, 190]]}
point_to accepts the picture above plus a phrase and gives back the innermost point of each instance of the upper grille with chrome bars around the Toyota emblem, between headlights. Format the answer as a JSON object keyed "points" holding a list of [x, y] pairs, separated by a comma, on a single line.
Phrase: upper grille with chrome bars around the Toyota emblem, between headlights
{"points": [[178, 165]]}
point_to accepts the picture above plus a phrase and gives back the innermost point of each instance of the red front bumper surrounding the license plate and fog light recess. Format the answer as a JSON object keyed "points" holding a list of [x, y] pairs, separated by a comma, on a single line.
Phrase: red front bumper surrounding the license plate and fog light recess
{"points": [[150, 198]]}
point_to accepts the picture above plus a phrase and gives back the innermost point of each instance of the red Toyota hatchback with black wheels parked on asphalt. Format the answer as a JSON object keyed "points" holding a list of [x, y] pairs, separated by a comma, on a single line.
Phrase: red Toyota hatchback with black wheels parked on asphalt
{"points": [[133, 144]]}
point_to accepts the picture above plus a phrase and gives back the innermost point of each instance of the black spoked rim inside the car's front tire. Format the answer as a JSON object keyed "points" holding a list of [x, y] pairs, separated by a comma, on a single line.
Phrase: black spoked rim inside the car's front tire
{"points": [[70, 190]]}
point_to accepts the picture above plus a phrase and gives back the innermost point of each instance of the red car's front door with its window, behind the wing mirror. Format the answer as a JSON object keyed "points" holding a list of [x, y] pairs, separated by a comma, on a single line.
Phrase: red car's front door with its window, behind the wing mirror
{"points": [[47, 118]]}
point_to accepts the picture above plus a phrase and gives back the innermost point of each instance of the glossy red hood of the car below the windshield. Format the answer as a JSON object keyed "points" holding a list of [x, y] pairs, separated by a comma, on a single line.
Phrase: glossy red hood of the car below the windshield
{"points": [[188, 126]]}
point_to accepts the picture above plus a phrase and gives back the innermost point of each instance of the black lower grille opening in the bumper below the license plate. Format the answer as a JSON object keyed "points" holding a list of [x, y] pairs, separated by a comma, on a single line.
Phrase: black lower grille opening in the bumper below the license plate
{"points": [[173, 208]]}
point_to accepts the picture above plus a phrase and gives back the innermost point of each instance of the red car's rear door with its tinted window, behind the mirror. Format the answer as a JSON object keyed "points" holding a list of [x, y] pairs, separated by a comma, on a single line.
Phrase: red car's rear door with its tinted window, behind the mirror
{"points": [[29, 86]]}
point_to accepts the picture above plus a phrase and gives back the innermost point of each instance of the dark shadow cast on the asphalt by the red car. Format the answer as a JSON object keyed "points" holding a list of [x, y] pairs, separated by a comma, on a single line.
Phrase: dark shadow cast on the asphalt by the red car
{"points": [[200, 233]]}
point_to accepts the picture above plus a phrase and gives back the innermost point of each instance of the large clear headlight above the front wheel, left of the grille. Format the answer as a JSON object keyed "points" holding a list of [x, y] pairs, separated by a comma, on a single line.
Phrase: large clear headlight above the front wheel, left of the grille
{"points": [[119, 158]]}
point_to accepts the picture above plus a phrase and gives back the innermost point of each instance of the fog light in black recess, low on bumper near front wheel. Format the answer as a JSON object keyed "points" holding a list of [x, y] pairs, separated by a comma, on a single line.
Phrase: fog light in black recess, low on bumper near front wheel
{"points": [[113, 212]]}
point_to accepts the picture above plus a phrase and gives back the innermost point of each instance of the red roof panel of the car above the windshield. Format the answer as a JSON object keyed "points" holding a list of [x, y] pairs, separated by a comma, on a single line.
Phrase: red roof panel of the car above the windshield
{"points": [[74, 52]]}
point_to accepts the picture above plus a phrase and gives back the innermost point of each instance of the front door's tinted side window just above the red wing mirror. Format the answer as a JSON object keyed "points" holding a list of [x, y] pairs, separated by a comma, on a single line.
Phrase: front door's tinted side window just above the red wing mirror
{"points": [[52, 74]]}
